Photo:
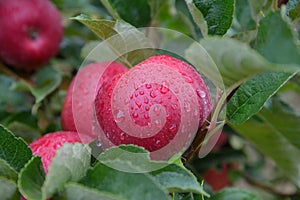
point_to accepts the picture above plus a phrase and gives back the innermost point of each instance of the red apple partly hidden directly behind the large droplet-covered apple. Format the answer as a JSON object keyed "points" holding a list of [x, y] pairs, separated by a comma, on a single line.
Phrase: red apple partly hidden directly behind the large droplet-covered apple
{"points": [[78, 110]]}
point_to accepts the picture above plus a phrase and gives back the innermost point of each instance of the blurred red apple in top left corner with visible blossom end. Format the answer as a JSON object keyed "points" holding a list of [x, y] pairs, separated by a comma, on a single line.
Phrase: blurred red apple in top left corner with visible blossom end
{"points": [[31, 31]]}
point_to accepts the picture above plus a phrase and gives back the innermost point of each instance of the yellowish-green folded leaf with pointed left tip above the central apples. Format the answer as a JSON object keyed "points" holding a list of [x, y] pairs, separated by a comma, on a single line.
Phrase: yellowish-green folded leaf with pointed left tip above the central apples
{"points": [[125, 42]]}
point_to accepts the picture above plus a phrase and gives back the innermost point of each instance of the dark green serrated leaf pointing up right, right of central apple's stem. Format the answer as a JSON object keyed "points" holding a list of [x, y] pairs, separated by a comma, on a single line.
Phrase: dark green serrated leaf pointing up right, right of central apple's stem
{"points": [[252, 95]]}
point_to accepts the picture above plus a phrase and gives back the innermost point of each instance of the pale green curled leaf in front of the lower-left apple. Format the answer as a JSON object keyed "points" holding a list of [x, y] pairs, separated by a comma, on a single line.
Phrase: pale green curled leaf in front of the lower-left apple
{"points": [[70, 163]]}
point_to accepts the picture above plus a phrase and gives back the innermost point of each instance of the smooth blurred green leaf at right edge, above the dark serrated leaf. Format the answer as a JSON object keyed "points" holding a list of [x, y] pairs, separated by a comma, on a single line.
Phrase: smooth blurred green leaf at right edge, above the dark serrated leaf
{"points": [[276, 40]]}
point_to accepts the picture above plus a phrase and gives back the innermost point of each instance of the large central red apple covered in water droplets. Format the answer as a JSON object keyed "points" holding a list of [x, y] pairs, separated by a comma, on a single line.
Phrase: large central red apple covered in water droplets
{"points": [[158, 103]]}
